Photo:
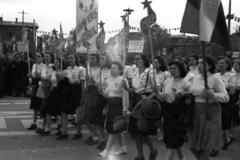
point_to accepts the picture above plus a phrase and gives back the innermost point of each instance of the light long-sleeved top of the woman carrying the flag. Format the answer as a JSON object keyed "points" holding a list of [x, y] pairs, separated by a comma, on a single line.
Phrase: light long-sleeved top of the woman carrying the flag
{"points": [[215, 83]]}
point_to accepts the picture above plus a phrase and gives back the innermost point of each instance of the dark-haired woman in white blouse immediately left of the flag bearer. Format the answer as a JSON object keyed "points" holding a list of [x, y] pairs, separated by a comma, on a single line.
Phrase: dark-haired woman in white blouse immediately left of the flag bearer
{"points": [[173, 133]]}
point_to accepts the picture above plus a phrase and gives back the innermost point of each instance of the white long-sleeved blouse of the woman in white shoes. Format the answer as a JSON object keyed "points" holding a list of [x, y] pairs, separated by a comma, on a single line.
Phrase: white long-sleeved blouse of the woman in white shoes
{"points": [[114, 89]]}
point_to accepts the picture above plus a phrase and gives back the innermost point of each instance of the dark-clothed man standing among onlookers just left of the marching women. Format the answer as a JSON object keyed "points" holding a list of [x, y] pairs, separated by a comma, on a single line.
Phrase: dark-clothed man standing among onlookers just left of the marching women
{"points": [[21, 71]]}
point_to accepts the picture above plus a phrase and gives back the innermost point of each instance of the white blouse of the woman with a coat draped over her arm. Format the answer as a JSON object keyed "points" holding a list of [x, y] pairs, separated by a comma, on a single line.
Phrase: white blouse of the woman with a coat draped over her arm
{"points": [[139, 81]]}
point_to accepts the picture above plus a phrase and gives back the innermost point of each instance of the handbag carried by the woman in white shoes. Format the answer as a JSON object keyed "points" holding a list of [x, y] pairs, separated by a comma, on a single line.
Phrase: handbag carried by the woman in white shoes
{"points": [[120, 123]]}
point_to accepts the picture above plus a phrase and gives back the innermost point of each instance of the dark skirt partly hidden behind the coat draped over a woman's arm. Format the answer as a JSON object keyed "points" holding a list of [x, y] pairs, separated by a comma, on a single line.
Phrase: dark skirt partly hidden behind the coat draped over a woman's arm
{"points": [[132, 127]]}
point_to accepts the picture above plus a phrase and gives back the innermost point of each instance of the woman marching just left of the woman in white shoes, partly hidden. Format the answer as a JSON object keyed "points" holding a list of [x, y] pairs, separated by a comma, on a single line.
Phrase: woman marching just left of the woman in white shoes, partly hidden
{"points": [[98, 118]]}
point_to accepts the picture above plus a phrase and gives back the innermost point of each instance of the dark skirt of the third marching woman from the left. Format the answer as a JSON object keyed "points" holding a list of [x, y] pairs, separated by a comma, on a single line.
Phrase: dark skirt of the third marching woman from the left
{"points": [[53, 105]]}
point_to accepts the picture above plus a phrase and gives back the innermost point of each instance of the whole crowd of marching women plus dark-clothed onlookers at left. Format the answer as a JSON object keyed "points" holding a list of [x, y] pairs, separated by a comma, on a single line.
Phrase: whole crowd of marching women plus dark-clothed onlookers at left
{"points": [[166, 98]]}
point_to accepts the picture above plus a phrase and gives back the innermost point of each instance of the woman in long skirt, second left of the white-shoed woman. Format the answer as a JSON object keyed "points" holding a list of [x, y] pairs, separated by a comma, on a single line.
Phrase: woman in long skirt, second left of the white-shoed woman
{"points": [[90, 98]]}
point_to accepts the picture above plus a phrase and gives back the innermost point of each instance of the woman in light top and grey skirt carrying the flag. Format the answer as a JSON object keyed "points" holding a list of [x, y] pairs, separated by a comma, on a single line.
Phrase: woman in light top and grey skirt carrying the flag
{"points": [[206, 132]]}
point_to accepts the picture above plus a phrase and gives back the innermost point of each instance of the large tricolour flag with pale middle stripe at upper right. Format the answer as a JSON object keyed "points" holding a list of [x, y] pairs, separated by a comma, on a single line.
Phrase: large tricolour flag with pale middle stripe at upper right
{"points": [[206, 18]]}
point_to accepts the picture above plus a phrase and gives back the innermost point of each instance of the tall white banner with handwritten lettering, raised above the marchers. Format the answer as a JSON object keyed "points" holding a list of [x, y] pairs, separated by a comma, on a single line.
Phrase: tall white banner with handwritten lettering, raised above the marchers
{"points": [[87, 25]]}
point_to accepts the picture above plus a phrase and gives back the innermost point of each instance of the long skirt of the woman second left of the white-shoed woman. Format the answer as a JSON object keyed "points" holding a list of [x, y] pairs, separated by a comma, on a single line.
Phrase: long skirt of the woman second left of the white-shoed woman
{"points": [[89, 103]]}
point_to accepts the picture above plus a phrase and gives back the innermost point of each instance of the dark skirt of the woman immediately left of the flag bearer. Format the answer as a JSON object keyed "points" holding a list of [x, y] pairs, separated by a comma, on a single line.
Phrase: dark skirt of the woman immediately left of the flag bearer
{"points": [[173, 132]]}
